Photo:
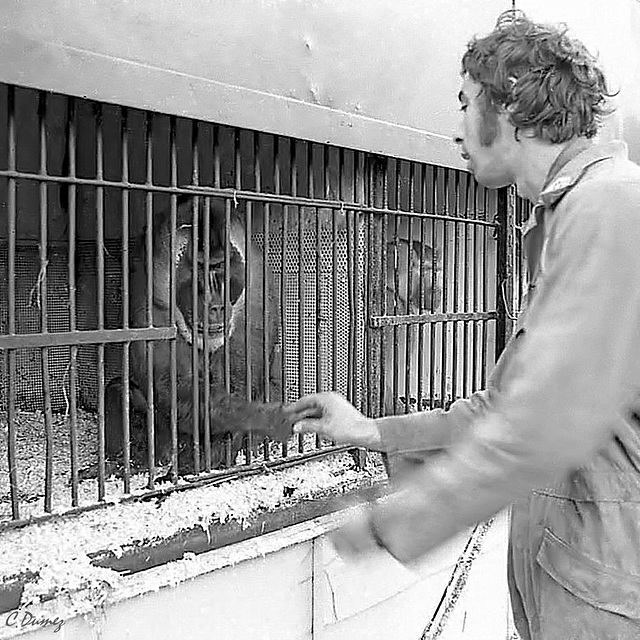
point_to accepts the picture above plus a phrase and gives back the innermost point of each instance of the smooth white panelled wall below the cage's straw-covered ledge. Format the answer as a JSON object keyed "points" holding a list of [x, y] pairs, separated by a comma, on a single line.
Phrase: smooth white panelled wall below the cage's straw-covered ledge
{"points": [[290, 585]]}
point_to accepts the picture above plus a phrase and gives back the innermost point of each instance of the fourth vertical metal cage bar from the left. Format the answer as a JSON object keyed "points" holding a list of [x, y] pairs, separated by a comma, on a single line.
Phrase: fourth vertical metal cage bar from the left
{"points": [[100, 249]]}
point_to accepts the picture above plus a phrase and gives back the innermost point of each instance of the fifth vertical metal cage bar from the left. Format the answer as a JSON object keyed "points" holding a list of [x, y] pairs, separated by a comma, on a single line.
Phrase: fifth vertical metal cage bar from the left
{"points": [[126, 346]]}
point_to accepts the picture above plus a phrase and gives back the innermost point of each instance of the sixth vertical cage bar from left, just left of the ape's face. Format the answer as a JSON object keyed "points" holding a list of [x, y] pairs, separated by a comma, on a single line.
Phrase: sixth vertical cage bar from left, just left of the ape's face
{"points": [[151, 439]]}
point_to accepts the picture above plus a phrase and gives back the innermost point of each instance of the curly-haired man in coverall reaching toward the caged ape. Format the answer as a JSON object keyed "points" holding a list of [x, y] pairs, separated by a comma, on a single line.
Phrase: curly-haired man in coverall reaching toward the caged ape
{"points": [[556, 434]]}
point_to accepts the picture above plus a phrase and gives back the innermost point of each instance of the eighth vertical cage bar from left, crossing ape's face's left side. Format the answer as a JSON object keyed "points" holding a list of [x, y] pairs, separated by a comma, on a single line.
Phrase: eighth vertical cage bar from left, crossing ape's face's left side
{"points": [[195, 300]]}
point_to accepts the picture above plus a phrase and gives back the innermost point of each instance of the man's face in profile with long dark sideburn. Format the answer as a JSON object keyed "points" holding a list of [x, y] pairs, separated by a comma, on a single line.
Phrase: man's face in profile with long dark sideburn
{"points": [[485, 139]]}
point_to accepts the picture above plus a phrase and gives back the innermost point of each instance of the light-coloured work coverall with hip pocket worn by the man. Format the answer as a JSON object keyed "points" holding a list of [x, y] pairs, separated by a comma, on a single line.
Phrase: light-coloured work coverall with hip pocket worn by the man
{"points": [[555, 434]]}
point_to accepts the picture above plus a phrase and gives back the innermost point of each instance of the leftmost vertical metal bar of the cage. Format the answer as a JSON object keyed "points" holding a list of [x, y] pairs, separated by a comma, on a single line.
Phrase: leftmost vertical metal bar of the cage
{"points": [[11, 281]]}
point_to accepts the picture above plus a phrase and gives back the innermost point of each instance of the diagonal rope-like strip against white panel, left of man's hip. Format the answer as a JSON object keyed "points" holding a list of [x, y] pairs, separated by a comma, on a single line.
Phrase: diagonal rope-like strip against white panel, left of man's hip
{"points": [[457, 581]]}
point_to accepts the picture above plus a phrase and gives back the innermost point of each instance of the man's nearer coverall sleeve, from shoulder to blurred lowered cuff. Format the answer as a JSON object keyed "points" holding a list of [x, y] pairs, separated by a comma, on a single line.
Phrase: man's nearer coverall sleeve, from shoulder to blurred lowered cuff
{"points": [[567, 382]]}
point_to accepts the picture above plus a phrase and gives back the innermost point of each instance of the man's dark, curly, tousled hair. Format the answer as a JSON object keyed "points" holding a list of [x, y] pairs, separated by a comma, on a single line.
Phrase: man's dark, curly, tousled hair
{"points": [[547, 82]]}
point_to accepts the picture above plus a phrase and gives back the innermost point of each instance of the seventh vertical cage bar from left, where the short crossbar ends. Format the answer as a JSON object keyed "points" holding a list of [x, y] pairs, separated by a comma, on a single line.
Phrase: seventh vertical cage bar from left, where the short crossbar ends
{"points": [[173, 358]]}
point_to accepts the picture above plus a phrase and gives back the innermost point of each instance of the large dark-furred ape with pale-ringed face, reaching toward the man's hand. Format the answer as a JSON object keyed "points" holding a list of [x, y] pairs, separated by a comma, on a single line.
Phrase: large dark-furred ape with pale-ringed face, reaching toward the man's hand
{"points": [[229, 412]]}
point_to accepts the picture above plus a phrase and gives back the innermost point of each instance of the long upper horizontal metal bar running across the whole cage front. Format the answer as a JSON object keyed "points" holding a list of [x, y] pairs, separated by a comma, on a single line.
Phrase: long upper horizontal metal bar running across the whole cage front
{"points": [[241, 195]]}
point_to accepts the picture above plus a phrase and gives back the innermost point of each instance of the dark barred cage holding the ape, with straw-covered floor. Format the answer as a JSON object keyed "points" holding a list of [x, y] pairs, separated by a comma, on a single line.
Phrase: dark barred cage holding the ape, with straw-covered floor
{"points": [[168, 285]]}
